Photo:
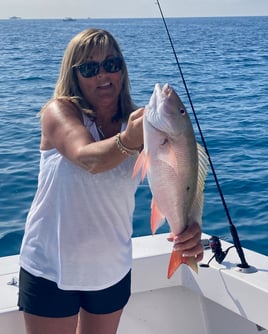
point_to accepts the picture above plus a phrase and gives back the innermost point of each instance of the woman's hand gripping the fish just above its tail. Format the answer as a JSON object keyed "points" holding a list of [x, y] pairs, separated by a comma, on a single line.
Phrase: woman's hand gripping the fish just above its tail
{"points": [[189, 242]]}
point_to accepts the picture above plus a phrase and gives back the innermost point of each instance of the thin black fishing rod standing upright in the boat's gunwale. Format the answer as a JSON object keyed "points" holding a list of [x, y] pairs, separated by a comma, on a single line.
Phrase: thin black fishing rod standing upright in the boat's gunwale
{"points": [[244, 265]]}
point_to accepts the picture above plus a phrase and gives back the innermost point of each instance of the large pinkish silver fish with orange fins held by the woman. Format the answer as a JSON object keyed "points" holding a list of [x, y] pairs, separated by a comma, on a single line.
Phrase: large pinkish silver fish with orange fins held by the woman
{"points": [[175, 165]]}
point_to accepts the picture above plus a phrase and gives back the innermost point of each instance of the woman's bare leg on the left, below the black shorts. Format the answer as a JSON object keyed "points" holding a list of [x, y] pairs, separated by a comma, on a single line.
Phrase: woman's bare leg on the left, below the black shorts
{"points": [[43, 325]]}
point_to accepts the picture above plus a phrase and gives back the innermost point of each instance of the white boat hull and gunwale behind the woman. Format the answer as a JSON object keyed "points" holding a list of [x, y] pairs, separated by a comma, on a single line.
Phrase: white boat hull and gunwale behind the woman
{"points": [[218, 300]]}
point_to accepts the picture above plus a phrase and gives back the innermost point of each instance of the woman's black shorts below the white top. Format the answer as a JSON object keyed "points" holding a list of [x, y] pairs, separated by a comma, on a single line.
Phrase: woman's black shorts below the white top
{"points": [[42, 297]]}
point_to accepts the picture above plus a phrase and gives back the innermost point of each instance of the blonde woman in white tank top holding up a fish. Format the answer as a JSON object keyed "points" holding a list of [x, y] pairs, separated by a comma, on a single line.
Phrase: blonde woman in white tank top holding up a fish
{"points": [[76, 252]]}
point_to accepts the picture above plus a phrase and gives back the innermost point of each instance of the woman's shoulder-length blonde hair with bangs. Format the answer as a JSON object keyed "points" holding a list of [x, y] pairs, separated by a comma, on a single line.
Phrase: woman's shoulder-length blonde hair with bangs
{"points": [[79, 51]]}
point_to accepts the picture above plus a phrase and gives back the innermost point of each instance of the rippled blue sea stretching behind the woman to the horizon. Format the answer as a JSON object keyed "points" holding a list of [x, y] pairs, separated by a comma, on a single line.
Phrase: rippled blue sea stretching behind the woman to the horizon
{"points": [[225, 66]]}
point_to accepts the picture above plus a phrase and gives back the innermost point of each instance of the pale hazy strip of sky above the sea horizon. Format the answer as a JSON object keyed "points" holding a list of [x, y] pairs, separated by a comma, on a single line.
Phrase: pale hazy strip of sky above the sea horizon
{"points": [[130, 8]]}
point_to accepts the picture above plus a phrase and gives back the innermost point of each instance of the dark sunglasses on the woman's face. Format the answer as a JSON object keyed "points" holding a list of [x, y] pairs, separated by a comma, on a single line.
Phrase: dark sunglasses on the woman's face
{"points": [[92, 68]]}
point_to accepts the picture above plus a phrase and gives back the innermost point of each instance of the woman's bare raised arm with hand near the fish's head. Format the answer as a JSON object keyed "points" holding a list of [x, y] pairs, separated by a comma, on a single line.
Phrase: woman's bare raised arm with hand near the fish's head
{"points": [[63, 129]]}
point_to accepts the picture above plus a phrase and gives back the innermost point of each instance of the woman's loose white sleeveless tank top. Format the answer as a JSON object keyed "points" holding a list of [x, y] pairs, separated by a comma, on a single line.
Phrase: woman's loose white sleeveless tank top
{"points": [[78, 230]]}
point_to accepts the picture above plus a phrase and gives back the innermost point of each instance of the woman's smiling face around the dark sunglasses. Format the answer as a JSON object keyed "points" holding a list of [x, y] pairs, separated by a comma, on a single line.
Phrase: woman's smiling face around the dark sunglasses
{"points": [[103, 89]]}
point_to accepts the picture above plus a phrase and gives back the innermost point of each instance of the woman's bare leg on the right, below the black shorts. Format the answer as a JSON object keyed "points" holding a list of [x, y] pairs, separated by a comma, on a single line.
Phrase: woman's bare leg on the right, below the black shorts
{"points": [[98, 323]]}
